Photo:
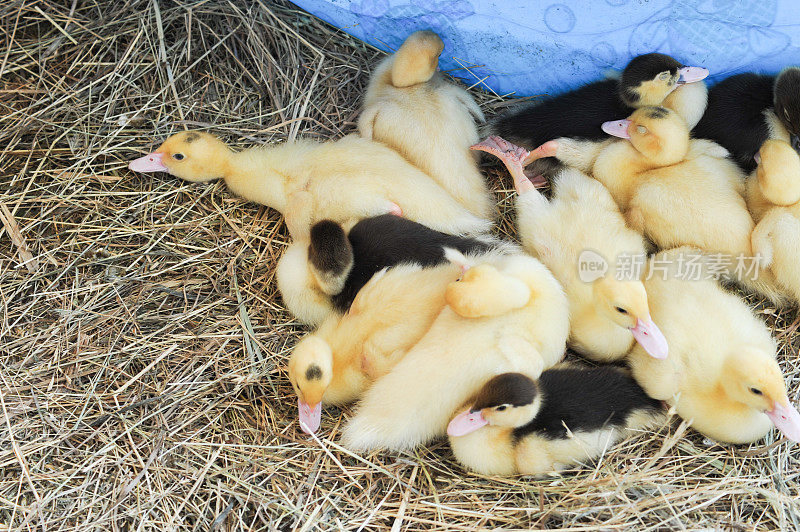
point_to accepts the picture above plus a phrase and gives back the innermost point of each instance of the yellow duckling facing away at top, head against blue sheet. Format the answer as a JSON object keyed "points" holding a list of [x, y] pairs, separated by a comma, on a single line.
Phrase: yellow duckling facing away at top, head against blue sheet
{"points": [[410, 107]]}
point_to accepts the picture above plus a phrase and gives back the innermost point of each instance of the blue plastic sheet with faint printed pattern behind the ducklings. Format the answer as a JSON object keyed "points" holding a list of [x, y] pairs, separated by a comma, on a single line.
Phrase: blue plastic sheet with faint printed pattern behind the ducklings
{"points": [[537, 47]]}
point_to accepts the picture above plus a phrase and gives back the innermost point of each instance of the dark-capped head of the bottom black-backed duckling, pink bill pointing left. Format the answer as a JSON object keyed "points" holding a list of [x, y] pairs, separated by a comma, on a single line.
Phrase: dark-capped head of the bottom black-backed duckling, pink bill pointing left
{"points": [[507, 400]]}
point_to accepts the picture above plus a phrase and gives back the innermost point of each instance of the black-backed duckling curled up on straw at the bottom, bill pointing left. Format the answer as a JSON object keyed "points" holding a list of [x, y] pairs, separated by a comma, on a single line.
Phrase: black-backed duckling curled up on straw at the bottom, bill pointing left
{"points": [[516, 425]]}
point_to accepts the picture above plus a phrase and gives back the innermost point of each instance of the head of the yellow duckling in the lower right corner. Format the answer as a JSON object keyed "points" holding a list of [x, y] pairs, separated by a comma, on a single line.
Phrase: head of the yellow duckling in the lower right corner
{"points": [[752, 377]]}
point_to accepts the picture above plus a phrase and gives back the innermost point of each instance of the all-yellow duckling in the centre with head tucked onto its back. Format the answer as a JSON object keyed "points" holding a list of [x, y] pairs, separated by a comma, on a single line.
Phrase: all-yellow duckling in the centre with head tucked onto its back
{"points": [[507, 314]]}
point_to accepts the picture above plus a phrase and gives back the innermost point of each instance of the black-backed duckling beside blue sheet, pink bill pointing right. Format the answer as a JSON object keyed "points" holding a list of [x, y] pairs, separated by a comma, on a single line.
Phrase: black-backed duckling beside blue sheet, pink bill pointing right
{"points": [[649, 79]]}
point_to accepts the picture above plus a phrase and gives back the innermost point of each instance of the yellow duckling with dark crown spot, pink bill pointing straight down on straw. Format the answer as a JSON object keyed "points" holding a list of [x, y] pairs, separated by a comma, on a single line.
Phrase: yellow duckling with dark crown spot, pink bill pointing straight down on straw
{"points": [[337, 362]]}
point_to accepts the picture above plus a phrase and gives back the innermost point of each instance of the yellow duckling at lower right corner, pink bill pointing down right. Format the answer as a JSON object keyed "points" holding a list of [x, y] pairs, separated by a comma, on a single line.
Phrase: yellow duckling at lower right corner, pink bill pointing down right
{"points": [[721, 373]]}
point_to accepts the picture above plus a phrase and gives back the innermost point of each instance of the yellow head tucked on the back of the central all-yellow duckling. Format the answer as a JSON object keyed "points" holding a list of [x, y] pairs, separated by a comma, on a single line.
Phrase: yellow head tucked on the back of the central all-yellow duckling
{"points": [[485, 291]]}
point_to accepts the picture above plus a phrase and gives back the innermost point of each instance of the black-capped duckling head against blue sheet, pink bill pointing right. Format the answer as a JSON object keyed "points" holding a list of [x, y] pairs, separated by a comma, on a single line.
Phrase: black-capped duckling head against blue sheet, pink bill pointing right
{"points": [[649, 78]]}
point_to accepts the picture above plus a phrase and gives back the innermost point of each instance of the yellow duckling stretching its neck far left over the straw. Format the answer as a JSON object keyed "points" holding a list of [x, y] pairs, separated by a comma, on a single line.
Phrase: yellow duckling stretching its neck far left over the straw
{"points": [[307, 181]]}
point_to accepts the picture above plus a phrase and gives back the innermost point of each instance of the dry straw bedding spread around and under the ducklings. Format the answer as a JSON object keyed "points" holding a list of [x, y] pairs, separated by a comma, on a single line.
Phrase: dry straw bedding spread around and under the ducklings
{"points": [[143, 340]]}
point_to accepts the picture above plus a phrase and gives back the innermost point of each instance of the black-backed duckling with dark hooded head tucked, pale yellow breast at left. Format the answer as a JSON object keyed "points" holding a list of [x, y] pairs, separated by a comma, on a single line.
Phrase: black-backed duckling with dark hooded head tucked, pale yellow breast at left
{"points": [[321, 275]]}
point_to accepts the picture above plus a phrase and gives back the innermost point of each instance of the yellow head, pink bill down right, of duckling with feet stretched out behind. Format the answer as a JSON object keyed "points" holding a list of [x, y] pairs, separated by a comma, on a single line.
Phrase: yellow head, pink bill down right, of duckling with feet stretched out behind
{"points": [[624, 302]]}
